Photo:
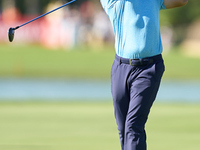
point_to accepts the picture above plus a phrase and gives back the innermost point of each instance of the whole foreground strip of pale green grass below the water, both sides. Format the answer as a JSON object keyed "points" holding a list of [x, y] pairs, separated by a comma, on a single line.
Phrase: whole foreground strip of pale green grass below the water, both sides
{"points": [[91, 125]]}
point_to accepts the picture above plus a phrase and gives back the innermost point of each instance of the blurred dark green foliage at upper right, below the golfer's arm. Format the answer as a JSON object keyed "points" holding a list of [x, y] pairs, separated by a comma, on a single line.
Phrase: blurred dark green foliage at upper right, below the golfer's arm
{"points": [[178, 19]]}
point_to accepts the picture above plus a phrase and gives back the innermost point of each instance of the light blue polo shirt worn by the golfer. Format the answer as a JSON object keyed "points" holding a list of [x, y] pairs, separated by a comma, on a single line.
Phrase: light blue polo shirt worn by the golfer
{"points": [[136, 26]]}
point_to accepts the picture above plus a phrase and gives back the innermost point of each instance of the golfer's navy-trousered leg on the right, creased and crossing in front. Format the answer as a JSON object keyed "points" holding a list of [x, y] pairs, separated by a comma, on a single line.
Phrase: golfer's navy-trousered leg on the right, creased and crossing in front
{"points": [[143, 92]]}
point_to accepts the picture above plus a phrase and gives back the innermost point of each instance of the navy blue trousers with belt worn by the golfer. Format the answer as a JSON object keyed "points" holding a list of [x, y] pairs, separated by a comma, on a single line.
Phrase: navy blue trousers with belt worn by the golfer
{"points": [[134, 86]]}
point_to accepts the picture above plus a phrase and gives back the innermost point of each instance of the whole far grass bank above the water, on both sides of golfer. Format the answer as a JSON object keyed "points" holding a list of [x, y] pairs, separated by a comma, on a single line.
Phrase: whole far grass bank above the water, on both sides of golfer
{"points": [[80, 62]]}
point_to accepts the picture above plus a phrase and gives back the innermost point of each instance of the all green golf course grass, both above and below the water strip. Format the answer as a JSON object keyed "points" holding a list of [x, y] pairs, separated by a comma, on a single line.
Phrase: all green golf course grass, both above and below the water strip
{"points": [[88, 125]]}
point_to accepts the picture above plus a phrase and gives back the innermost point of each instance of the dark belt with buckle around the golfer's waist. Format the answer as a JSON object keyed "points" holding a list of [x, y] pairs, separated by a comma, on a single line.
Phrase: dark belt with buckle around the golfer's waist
{"points": [[139, 62]]}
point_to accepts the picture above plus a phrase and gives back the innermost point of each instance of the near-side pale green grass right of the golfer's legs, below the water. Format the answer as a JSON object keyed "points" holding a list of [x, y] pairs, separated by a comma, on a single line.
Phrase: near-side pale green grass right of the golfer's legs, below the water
{"points": [[174, 126]]}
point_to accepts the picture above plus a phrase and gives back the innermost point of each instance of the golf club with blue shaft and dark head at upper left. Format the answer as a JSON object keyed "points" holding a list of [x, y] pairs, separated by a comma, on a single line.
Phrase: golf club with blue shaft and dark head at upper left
{"points": [[11, 31]]}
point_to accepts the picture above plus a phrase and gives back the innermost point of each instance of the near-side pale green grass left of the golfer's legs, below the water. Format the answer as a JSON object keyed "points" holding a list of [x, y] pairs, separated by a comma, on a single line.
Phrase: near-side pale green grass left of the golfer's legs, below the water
{"points": [[57, 126]]}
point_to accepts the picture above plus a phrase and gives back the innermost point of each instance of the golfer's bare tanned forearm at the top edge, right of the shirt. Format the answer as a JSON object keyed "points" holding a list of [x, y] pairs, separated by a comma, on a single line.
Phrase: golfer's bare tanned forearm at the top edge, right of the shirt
{"points": [[174, 3]]}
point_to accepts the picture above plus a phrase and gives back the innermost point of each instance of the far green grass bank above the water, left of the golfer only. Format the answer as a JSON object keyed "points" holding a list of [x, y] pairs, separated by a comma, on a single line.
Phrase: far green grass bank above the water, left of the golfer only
{"points": [[36, 61]]}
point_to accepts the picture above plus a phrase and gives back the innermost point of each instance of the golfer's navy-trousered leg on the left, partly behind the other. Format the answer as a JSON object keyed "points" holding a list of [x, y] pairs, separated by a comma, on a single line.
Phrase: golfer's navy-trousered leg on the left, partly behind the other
{"points": [[121, 96]]}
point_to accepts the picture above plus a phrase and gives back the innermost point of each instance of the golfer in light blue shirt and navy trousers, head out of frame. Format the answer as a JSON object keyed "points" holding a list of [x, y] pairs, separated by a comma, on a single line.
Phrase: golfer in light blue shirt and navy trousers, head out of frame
{"points": [[138, 66]]}
